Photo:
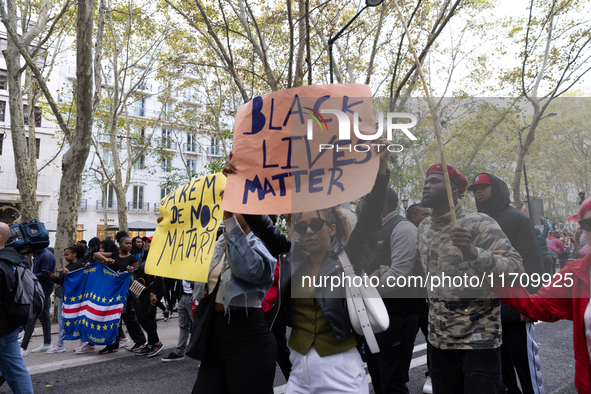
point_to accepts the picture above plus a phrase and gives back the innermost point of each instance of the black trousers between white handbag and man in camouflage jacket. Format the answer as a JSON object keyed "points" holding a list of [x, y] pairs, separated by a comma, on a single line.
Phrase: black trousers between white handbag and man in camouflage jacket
{"points": [[389, 368]]}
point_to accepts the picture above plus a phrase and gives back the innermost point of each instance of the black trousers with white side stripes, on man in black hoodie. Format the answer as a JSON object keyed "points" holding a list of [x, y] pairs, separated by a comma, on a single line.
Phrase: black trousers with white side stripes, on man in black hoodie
{"points": [[514, 357]]}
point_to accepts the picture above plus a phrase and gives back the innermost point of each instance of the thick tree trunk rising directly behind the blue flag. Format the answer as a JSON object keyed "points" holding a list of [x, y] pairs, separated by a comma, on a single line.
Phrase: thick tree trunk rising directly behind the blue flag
{"points": [[74, 159]]}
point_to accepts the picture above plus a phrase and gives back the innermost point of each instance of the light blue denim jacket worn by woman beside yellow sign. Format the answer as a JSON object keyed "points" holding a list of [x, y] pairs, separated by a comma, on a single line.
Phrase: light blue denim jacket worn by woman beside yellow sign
{"points": [[248, 267]]}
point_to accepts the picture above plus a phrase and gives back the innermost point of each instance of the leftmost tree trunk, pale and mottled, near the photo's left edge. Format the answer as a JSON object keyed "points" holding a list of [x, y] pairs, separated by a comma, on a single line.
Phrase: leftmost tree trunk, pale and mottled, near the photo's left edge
{"points": [[26, 175]]}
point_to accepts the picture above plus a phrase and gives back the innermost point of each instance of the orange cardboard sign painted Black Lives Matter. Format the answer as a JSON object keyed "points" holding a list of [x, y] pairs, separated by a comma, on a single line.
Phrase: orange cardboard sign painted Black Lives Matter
{"points": [[302, 149]]}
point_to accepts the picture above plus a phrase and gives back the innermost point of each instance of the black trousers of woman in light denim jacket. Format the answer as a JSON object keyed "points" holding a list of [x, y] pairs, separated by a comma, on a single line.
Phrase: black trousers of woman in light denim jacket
{"points": [[240, 355]]}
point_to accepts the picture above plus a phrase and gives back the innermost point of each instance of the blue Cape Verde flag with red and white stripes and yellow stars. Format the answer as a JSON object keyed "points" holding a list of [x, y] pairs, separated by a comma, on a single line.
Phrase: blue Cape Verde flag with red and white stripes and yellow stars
{"points": [[93, 301]]}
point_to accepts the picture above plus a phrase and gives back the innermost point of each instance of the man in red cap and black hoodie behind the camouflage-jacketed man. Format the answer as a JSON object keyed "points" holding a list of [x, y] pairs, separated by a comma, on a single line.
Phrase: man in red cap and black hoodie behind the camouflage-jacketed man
{"points": [[519, 351]]}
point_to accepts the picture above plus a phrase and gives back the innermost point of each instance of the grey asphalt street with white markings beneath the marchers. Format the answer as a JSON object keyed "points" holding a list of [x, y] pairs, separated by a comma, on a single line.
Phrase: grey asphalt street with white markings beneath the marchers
{"points": [[124, 372]]}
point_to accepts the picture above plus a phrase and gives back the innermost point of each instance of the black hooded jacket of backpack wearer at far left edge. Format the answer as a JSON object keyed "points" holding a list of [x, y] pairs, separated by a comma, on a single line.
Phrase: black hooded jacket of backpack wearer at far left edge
{"points": [[9, 258]]}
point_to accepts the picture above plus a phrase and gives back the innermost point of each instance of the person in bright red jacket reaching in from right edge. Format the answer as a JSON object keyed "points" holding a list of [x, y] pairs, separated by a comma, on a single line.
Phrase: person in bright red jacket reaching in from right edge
{"points": [[568, 302]]}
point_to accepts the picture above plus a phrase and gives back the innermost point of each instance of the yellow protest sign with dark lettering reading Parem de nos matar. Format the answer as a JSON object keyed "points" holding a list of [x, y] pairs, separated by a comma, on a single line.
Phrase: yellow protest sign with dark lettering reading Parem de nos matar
{"points": [[184, 240]]}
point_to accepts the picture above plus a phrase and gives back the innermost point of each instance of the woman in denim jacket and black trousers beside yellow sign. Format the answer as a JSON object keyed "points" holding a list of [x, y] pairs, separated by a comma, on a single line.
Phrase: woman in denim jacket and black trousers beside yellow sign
{"points": [[240, 354]]}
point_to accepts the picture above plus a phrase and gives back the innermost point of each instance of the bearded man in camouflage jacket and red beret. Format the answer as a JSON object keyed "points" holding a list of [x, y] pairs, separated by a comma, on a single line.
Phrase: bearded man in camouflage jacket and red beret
{"points": [[464, 322]]}
